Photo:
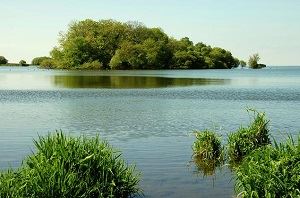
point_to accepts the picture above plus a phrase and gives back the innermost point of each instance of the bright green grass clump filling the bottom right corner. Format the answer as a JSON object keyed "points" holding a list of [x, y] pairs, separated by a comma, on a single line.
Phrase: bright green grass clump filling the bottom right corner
{"points": [[271, 172]]}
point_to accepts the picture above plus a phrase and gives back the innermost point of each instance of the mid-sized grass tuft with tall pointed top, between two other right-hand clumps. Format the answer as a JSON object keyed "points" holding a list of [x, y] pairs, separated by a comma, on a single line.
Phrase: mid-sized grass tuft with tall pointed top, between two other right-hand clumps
{"points": [[245, 140]]}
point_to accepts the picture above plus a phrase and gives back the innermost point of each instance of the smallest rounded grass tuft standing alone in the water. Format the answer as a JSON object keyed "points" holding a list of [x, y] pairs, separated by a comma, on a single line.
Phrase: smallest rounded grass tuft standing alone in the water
{"points": [[207, 152]]}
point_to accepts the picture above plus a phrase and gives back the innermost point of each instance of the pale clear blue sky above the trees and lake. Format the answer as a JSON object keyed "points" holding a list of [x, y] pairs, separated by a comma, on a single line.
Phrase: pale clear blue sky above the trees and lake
{"points": [[30, 28]]}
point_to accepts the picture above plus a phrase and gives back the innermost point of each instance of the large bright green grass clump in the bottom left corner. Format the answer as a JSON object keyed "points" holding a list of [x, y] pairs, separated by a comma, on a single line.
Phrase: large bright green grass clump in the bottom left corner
{"points": [[65, 166]]}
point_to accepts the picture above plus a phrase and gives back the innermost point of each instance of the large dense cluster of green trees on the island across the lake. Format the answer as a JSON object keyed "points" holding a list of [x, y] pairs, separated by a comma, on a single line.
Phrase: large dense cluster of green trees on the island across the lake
{"points": [[108, 44]]}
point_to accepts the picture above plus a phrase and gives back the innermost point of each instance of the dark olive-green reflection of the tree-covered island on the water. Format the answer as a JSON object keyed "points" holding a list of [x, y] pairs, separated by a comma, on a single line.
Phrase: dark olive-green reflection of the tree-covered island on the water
{"points": [[127, 82]]}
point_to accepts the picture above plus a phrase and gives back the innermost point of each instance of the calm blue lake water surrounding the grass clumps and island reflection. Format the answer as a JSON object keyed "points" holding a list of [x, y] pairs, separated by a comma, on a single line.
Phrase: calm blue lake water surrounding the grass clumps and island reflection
{"points": [[148, 115]]}
